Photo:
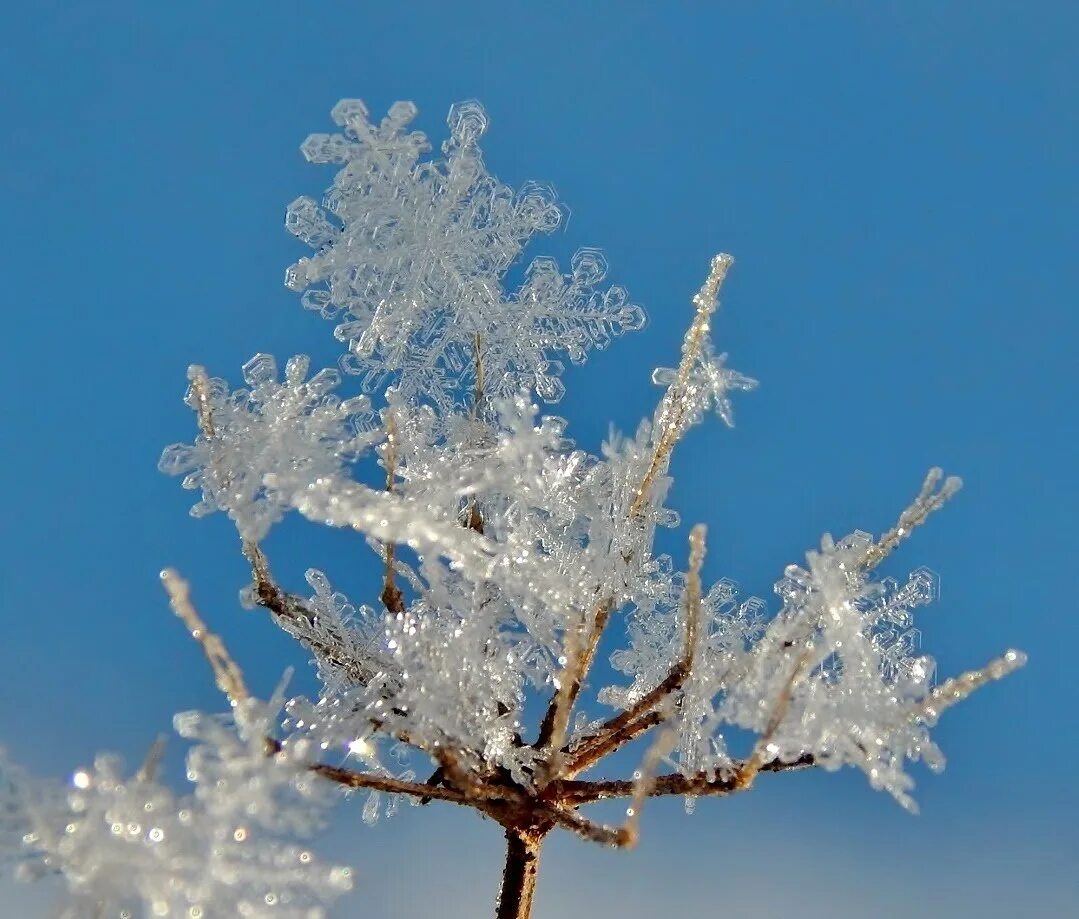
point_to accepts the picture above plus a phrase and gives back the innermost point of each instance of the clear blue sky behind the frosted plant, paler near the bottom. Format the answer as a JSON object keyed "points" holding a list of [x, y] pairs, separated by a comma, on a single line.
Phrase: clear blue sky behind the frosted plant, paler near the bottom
{"points": [[899, 185]]}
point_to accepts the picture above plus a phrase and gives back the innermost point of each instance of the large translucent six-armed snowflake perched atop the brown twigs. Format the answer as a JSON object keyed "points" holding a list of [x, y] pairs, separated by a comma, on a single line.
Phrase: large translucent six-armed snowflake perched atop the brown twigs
{"points": [[412, 256]]}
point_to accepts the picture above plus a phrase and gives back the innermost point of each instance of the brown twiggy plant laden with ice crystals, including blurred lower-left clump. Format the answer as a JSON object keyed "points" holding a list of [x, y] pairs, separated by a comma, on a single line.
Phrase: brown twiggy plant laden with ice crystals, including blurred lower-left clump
{"points": [[511, 557]]}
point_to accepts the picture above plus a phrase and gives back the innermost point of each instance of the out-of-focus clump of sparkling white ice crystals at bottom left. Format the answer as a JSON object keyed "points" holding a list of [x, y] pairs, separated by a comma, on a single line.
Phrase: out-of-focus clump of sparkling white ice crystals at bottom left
{"points": [[132, 847]]}
